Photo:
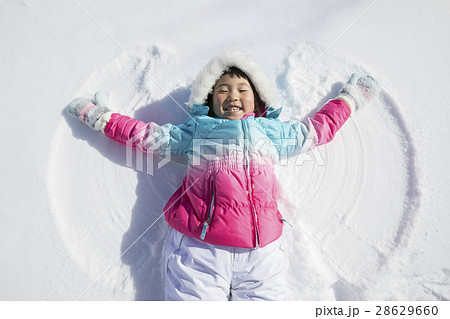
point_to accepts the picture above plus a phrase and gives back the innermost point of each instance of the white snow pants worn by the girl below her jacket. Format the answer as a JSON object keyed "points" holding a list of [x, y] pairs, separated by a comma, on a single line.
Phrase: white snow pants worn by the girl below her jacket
{"points": [[195, 270]]}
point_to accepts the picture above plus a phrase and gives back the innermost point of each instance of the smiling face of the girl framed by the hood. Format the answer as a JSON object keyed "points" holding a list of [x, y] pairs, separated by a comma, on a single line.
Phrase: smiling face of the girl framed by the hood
{"points": [[233, 98]]}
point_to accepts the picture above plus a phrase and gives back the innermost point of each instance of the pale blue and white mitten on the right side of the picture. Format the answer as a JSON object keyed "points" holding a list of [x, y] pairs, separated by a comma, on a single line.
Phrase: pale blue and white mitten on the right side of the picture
{"points": [[359, 91]]}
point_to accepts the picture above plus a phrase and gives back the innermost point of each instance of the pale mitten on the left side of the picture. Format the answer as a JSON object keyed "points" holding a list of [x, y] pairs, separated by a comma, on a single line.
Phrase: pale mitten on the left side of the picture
{"points": [[89, 110]]}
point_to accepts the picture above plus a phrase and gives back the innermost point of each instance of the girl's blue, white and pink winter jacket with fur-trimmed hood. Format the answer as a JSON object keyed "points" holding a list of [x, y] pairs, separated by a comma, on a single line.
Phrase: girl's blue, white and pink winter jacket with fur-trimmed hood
{"points": [[228, 196]]}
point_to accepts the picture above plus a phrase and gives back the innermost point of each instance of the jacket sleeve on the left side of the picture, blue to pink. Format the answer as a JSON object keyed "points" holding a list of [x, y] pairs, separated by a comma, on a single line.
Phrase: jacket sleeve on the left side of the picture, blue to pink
{"points": [[150, 137]]}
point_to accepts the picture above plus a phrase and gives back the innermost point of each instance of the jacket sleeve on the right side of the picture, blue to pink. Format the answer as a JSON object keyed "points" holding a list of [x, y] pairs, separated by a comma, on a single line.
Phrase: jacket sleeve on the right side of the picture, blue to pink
{"points": [[291, 138]]}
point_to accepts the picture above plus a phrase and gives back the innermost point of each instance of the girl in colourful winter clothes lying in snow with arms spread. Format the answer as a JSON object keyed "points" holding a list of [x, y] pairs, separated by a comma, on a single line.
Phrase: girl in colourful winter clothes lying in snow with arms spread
{"points": [[225, 238]]}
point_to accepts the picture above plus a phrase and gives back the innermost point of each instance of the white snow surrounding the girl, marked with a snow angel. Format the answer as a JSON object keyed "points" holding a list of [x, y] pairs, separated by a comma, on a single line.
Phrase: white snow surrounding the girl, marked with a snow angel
{"points": [[369, 210]]}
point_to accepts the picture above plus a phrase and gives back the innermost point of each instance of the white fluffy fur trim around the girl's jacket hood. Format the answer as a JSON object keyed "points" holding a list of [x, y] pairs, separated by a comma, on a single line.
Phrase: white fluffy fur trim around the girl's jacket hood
{"points": [[206, 79]]}
